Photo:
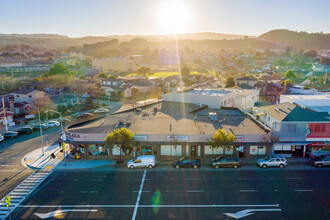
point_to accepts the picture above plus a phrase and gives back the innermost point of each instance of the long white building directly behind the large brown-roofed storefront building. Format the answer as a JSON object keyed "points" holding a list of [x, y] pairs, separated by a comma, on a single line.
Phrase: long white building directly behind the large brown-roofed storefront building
{"points": [[216, 98]]}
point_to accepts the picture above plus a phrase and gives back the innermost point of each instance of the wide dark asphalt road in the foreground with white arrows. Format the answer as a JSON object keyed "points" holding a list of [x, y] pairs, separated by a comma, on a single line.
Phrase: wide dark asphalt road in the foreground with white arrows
{"points": [[181, 194]]}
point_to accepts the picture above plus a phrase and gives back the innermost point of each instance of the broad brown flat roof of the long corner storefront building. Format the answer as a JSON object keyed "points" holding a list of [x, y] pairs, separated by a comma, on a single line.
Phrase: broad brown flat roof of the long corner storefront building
{"points": [[172, 117]]}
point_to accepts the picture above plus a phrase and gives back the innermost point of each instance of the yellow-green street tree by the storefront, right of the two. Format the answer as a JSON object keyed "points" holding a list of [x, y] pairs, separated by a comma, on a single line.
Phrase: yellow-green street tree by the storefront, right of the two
{"points": [[222, 140]]}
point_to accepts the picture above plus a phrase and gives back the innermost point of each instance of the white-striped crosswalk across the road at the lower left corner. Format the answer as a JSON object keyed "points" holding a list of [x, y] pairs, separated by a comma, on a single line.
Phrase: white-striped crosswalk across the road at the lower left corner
{"points": [[23, 190]]}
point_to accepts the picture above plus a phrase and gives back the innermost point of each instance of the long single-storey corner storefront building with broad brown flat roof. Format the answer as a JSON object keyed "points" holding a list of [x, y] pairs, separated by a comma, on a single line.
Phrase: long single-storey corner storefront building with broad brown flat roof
{"points": [[169, 130]]}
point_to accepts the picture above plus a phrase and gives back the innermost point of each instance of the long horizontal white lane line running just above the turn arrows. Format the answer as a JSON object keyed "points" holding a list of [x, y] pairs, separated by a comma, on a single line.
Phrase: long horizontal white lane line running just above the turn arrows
{"points": [[144, 206]]}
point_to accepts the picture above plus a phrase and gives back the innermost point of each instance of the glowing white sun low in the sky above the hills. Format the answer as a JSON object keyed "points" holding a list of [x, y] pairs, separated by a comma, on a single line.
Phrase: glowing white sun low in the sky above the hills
{"points": [[173, 17]]}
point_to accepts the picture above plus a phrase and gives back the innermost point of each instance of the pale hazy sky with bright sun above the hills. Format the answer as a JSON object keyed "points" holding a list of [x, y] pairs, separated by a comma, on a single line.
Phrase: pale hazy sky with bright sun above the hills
{"points": [[77, 18]]}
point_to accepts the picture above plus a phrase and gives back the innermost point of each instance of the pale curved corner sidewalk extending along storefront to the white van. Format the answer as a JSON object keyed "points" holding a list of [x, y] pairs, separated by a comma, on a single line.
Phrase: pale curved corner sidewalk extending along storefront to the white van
{"points": [[35, 160]]}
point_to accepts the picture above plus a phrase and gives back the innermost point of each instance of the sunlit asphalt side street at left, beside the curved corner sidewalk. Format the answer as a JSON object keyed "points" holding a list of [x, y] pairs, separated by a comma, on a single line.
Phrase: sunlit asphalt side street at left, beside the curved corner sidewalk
{"points": [[12, 172]]}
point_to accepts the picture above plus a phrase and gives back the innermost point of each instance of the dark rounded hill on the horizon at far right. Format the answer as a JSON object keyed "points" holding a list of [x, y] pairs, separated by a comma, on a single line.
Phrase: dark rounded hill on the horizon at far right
{"points": [[298, 40]]}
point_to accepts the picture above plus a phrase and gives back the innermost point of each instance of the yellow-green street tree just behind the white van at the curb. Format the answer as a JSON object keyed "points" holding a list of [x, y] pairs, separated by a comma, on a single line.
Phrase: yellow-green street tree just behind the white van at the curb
{"points": [[123, 138]]}
